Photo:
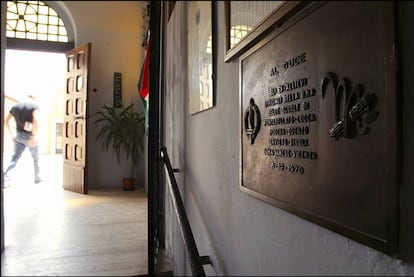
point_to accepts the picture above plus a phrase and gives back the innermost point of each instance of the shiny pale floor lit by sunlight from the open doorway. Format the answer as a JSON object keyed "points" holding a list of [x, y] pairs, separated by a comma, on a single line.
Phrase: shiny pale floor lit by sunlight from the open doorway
{"points": [[53, 232]]}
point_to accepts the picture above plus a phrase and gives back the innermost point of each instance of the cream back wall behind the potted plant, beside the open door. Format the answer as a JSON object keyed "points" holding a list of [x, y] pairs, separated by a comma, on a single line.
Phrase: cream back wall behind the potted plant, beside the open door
{"points": [[115, 30]]}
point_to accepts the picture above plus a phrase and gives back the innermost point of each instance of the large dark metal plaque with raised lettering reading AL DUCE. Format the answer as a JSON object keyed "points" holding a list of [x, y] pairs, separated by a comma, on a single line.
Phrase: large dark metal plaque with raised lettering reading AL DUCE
{"points": [[318, 120]]}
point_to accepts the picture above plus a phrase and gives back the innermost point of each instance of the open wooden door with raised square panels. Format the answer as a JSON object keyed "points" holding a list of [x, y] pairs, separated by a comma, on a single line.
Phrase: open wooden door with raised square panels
{"points": [[74, 136]]}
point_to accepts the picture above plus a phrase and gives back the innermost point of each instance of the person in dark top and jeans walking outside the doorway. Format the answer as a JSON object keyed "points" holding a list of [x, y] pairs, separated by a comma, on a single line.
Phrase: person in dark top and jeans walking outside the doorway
{"points": [[26, 116]]}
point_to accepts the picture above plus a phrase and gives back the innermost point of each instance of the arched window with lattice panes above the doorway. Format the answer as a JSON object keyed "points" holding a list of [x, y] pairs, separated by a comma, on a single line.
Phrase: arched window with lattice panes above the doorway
{"points": [[34, 20]]}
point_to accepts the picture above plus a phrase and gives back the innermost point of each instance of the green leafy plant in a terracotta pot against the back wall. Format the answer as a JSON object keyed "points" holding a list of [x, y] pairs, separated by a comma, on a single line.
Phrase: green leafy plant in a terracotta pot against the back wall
{"points": [[122, 130]]}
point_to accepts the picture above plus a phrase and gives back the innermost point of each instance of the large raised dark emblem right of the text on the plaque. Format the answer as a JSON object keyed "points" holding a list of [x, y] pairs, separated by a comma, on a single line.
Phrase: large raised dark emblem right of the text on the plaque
{"points": [[354, 110]]}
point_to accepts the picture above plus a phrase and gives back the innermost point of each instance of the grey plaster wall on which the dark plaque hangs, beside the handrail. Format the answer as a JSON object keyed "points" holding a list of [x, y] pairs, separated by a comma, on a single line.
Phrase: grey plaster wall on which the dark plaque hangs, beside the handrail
{"points": [[241, 234]]}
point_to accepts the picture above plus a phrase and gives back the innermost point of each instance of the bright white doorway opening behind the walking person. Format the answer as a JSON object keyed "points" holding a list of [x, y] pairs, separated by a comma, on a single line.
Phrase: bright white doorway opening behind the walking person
{"points": [[41, 74]]}
